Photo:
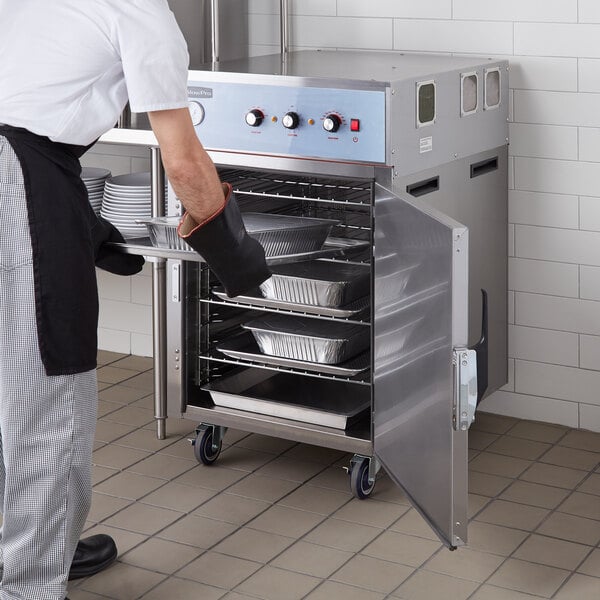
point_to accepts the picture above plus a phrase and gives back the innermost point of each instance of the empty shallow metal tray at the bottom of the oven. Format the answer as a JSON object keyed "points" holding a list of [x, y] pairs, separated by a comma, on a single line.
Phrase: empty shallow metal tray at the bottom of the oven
{"points": [[332, 404]]}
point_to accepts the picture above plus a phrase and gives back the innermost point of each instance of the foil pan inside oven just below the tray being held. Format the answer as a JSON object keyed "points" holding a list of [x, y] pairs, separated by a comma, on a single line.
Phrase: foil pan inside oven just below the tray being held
{"points": [[318, 283]]}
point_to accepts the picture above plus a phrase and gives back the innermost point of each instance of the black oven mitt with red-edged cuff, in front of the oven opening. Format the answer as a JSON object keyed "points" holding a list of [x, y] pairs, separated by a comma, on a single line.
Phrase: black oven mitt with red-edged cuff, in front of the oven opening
{"points": [[236, 259]]}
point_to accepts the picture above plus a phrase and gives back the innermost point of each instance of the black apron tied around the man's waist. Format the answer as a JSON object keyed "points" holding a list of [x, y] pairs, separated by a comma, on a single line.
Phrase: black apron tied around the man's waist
{"points": [[61, 222]]}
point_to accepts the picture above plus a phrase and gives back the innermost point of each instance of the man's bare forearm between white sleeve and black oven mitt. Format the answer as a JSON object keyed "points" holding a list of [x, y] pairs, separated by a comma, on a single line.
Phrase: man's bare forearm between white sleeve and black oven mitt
{"points": [[187, 165]]}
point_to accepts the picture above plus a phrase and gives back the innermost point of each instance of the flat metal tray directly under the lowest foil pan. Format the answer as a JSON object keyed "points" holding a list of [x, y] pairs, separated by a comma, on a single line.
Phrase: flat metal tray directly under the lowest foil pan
{"points": [[244, 347]]}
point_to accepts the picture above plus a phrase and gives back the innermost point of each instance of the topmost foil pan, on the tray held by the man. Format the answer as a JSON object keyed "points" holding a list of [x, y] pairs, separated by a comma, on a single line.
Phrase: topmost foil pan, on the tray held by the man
{"points": [[283, 234]]}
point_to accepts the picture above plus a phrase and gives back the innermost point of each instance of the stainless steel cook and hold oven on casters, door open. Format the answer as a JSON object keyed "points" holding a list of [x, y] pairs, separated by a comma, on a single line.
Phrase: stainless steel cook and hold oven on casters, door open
{"points": [[408, 155]]}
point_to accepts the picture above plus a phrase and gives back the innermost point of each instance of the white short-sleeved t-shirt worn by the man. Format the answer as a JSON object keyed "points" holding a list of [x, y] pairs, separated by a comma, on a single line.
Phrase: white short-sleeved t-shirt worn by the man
{"points": [[68, 67]]}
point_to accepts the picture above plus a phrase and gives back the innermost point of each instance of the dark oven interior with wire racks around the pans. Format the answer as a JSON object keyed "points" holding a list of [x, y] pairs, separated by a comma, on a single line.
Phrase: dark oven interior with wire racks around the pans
{"points": [[210, 319]]}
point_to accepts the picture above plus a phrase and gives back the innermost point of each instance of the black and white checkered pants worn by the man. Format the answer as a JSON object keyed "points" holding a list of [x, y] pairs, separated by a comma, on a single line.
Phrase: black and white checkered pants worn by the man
{"points": [[46, 423]]}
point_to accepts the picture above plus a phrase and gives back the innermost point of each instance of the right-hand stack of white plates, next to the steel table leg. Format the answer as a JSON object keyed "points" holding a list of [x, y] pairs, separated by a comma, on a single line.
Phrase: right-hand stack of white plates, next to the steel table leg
{"points": [[127, 200]]}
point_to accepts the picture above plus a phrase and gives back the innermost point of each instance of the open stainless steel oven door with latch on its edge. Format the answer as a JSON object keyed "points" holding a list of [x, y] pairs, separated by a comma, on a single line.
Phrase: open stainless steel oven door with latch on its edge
{"points": [[420, 316]]}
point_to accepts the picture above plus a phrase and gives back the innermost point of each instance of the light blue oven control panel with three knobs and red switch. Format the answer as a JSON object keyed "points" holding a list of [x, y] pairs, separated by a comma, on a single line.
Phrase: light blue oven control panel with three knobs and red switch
{"points": [[295, 121]]}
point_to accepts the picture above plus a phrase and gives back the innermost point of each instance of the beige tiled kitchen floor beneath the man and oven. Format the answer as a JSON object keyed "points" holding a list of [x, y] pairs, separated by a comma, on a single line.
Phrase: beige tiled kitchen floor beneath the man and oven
{"points": [[275, 520]]}
